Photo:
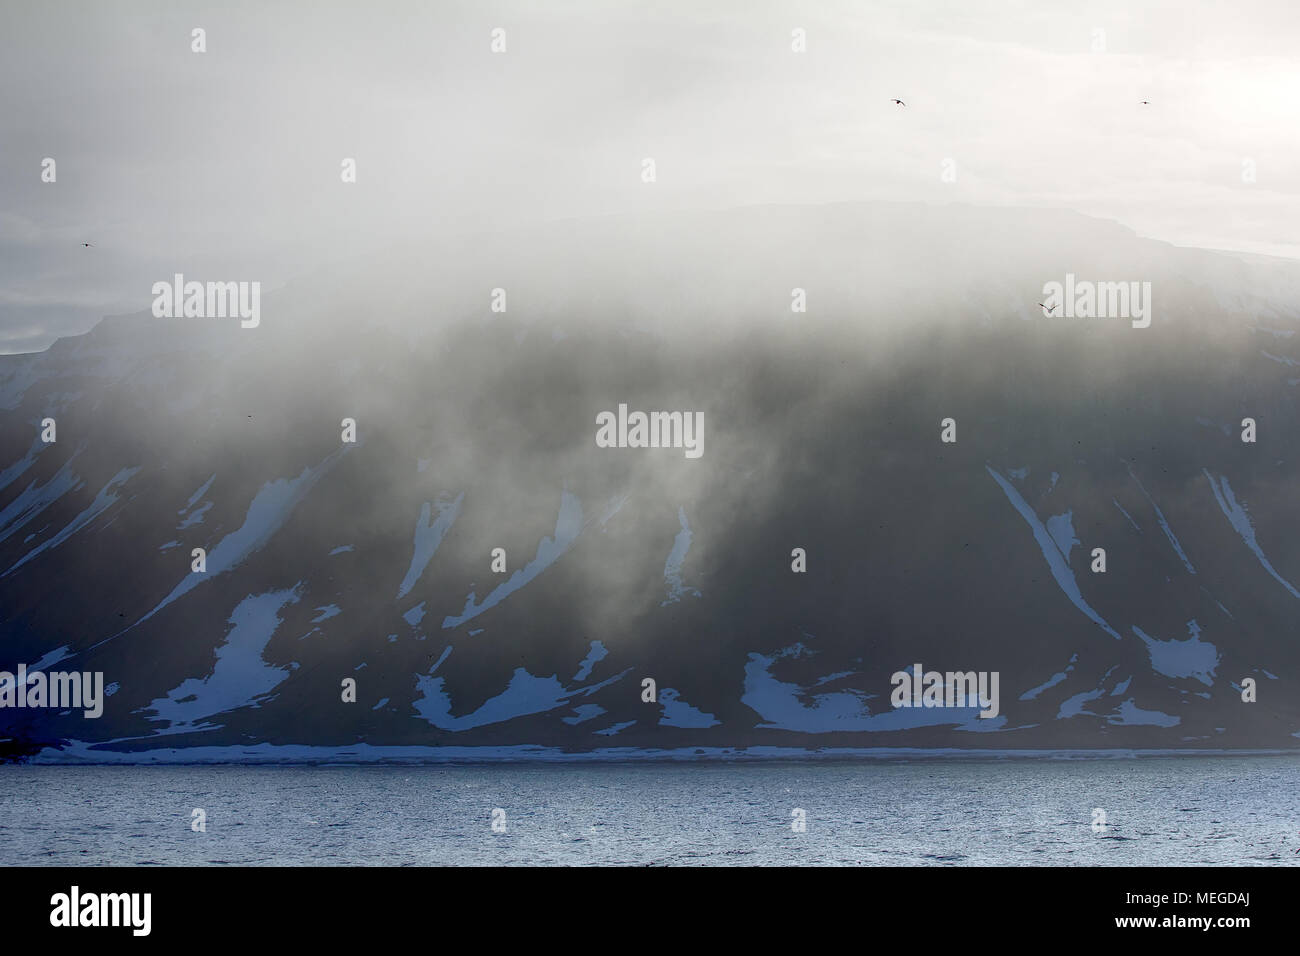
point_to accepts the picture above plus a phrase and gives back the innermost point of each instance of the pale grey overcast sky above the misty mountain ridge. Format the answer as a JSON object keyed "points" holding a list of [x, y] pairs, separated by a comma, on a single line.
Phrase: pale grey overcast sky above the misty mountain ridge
{"points": [[227, 165]]}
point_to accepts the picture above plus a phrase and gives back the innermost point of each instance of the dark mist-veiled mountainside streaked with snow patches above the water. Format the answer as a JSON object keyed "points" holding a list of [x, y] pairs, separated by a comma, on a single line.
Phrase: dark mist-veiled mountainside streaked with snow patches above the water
{"points": [[821, 431]]}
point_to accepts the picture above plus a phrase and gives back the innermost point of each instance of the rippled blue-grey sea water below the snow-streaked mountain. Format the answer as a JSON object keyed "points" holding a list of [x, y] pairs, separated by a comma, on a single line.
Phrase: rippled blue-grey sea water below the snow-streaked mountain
{"points": [[1160, 811]]}
